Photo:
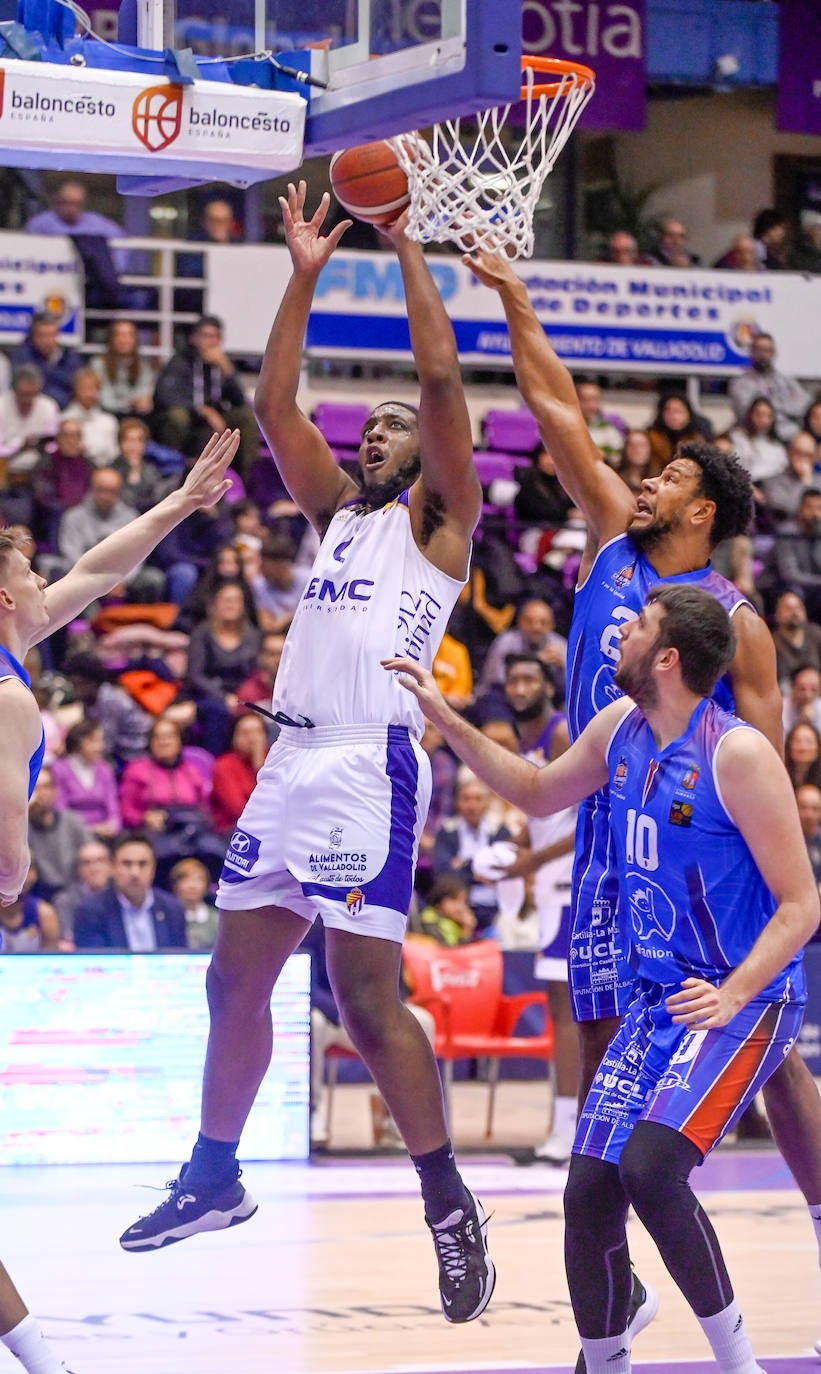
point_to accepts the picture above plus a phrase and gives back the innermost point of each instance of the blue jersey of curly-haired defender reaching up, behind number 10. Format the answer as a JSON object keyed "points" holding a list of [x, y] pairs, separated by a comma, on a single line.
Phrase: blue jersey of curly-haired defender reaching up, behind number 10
{"points": [[613, 594]]}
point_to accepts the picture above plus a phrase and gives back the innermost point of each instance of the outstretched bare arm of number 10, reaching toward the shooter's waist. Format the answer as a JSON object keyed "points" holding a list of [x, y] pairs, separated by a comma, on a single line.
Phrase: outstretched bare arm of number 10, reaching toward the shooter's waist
{"points": [[537, 792]]}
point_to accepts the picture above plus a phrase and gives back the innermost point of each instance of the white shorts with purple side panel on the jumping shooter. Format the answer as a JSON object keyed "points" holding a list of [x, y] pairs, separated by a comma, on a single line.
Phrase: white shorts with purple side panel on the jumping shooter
{"points": [[333, 829]]}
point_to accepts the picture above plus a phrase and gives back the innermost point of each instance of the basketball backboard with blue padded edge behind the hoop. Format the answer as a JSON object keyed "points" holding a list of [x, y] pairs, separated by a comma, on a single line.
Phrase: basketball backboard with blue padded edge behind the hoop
{"points": [[385, 67]]}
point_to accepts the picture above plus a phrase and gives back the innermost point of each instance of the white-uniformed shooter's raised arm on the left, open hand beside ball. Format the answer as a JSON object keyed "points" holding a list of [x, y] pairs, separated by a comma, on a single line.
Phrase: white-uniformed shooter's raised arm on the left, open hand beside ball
{"points": [[305, 461]]}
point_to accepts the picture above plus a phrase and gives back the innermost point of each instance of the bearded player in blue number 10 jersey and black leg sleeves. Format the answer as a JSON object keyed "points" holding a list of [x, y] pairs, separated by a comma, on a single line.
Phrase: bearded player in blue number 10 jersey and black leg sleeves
{"points": [[719, 899]]}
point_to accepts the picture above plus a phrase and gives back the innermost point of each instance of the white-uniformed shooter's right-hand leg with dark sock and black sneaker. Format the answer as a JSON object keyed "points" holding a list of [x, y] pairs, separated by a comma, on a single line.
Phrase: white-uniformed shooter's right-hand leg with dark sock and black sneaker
{"points": [[365, 973]]}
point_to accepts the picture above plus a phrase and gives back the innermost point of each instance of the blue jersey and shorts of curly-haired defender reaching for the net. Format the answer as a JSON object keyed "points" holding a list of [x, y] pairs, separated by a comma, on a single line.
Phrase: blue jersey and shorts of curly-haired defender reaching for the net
{"points": [[614, 593]]}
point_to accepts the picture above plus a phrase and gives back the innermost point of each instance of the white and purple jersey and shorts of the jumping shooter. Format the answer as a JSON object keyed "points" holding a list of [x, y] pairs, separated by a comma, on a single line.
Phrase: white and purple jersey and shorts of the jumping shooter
{"points": [[334, 822]]}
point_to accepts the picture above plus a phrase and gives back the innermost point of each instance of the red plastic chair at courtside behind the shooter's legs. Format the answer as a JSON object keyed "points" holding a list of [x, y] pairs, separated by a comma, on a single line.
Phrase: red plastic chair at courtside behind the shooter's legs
{"points": [[462, 989]]}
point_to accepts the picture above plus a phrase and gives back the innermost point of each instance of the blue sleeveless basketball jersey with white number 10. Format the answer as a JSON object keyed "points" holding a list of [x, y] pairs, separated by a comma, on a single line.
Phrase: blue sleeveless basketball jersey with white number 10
{"points": [[693, 898]]}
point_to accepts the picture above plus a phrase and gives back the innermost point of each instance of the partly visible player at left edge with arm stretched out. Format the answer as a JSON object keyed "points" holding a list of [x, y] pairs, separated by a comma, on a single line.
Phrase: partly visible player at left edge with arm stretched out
{"points": [[30, 612]]}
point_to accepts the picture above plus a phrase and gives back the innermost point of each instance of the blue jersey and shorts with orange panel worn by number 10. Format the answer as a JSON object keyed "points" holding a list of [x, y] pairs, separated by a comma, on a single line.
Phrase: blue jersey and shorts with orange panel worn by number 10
{"points": [[694, 903]]}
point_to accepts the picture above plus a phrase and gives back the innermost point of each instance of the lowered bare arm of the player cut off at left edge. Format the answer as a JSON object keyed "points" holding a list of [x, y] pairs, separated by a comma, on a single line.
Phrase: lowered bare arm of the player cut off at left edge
{"points": [[21, 737]]}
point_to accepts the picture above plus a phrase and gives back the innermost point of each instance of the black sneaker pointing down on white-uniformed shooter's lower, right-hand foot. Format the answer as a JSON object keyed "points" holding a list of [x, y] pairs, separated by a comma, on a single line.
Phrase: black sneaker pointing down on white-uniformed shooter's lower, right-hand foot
{"points": [[466, 1270]]}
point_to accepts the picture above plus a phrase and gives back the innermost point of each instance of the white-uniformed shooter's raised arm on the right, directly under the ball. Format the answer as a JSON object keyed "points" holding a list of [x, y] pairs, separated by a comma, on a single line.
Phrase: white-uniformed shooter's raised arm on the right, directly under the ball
{"points": [[446, 440]]}
